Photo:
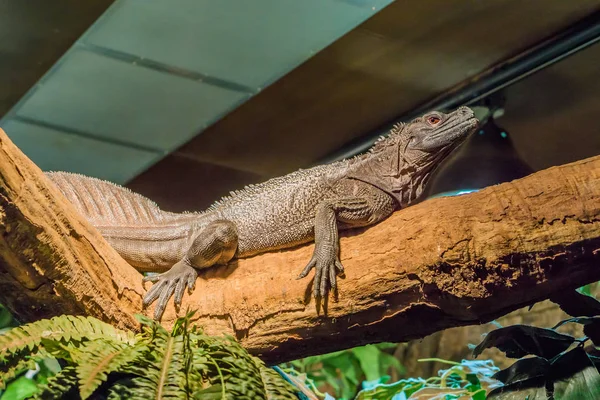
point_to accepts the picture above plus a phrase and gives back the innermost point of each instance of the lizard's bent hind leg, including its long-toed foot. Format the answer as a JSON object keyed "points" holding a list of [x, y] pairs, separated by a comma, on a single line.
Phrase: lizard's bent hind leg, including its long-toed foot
{"points": [[216, 244]]}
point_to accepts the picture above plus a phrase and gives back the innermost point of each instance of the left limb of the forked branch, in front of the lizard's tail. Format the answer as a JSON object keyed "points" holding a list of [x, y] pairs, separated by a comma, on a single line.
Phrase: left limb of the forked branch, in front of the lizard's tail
{"points": [[51, 260]]}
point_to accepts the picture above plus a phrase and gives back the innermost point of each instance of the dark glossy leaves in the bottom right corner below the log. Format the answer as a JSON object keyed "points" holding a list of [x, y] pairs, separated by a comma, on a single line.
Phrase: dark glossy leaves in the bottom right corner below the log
{"points": [[556, 365]]}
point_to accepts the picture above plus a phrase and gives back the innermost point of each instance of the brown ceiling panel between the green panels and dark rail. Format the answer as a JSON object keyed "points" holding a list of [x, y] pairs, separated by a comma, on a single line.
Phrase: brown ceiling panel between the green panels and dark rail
{"points": [[409, 53]]}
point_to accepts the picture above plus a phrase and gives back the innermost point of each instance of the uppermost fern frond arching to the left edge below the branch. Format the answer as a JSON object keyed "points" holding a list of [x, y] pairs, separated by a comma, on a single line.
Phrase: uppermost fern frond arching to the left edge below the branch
{"points": [[64, 327]]}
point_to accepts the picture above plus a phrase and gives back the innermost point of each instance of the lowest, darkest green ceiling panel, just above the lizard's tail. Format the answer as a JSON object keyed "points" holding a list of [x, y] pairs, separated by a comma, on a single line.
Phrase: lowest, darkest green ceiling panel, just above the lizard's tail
{"points": [[84, 155]]}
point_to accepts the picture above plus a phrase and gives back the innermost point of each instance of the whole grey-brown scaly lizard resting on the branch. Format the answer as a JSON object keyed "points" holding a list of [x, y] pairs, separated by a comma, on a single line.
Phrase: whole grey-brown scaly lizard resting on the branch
{"points": [[283, 212]]}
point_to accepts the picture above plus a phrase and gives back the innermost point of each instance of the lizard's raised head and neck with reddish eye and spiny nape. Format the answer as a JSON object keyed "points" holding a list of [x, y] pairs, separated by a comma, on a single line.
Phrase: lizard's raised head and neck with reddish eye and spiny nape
{"points": [[402, 163]]}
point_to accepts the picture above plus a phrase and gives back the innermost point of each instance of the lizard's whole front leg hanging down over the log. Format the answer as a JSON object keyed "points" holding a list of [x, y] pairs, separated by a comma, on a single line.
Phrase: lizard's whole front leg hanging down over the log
{"points": [[368, 206]]}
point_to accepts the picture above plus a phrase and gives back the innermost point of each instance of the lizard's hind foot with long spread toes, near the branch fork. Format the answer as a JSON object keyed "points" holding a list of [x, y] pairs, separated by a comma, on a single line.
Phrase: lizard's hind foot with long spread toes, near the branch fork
{"points": [[174, 281]]}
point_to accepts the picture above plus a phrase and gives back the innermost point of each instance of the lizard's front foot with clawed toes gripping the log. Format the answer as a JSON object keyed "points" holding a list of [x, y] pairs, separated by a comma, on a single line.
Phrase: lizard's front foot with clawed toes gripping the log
{"points": [[327, 266]]}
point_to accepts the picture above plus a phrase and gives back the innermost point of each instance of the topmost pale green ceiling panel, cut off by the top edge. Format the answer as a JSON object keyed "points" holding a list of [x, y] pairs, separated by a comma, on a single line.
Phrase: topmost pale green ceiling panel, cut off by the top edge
{"points": [[246, 42]]}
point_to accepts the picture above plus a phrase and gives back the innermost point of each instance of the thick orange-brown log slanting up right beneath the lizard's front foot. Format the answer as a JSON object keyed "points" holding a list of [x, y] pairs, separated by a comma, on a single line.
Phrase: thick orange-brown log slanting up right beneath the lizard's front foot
{"points": [[445, 262]]}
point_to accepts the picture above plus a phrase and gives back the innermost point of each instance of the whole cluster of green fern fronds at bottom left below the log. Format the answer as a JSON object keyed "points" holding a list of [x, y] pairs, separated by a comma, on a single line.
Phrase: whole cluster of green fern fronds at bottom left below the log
{"points": [[155, 364]]}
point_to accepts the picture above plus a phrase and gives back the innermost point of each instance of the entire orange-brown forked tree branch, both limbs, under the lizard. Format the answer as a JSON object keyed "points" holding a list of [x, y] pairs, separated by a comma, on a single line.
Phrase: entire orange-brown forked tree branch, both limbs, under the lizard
{"points": [[443, 263]]}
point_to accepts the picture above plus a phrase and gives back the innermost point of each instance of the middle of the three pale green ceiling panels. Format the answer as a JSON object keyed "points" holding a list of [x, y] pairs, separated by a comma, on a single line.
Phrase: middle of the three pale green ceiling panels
{"points": [[119, 101]]}
